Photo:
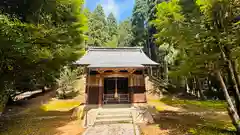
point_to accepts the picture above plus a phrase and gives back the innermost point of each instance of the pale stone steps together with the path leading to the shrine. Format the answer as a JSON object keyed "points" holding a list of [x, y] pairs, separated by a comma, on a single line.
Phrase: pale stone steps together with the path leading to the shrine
{"points": [[113, 121]]}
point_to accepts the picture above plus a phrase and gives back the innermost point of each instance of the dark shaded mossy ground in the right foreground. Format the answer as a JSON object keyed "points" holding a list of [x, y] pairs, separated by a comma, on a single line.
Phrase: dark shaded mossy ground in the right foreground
{"points": [[181, 124]]}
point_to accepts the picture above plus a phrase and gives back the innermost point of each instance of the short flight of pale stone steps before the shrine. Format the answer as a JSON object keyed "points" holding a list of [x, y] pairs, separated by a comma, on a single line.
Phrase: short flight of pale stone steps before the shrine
{"points": [[114, 116]]}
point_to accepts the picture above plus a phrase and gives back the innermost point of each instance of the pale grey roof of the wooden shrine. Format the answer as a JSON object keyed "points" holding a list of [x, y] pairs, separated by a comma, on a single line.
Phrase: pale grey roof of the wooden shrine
{"points": [[115, 57]]}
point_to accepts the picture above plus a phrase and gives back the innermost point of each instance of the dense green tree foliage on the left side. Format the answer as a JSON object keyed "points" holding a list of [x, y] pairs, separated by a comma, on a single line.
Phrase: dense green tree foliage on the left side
{"points": [[34, 48]]}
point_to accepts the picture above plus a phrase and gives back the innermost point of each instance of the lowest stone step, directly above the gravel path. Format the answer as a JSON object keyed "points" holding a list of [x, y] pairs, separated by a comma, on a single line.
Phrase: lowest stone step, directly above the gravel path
{"points": [[113, 121]]}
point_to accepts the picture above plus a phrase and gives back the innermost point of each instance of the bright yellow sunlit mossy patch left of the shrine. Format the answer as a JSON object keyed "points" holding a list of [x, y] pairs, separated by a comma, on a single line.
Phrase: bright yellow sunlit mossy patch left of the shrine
{"points": [[60, 105]]}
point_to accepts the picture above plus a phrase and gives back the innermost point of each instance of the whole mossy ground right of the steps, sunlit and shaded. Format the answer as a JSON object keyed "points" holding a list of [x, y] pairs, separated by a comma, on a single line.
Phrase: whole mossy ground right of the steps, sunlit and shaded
{"points": [[169, 122]]}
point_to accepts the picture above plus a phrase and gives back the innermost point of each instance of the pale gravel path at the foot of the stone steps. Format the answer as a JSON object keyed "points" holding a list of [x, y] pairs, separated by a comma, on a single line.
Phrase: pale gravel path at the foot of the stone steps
{"points": [[112, 129]]}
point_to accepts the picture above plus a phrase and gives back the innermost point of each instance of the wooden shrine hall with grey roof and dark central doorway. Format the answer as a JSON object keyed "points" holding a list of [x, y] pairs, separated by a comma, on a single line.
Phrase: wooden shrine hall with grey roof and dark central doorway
{"points": [[115, 75]]}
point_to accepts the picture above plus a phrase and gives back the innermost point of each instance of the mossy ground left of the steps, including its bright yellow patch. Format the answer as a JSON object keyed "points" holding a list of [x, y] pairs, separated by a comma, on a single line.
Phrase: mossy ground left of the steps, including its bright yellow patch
{"points": [[39, 121]]}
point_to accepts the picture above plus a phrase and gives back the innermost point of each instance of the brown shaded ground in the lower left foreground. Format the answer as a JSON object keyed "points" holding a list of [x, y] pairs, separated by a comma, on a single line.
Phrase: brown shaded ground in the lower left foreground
{"points": [[35, 121]]}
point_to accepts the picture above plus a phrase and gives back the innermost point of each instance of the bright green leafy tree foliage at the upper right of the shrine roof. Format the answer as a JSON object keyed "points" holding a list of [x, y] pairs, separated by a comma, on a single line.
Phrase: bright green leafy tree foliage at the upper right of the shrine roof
{"points": [[204, 38]]}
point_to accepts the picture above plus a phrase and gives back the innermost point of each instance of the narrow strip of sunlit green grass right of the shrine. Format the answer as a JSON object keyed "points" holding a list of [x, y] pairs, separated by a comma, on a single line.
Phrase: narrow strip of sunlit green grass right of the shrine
{"points": [[195, 104]]}
